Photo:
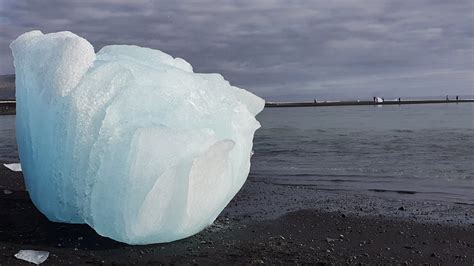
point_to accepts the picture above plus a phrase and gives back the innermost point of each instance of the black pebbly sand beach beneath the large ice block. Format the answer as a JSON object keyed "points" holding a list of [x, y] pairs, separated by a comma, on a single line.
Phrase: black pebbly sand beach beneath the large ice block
{"points": [[265, 223]]}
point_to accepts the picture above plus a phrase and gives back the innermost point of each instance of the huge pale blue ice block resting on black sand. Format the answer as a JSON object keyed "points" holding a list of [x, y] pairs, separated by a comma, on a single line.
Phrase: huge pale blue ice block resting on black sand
{"points": [[129, 140]]}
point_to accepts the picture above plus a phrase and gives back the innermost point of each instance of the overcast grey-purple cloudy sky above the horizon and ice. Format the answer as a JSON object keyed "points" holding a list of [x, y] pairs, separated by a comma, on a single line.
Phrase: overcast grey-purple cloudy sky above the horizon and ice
{"points": [[280, 50]]}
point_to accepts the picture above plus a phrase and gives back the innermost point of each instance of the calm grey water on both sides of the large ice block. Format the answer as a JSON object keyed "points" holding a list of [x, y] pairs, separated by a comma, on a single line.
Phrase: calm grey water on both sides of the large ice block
{"points": [[424, 152]]}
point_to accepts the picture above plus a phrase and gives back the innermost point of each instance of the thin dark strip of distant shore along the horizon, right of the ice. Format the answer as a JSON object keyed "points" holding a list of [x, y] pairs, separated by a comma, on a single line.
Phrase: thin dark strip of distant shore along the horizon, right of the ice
{"points": [[354, 103]]}
